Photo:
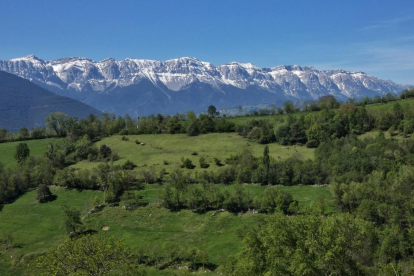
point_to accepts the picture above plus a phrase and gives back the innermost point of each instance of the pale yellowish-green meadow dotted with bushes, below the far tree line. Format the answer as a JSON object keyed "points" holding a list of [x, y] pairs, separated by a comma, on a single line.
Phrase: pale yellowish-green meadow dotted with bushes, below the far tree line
{"points": [[171, 148]]}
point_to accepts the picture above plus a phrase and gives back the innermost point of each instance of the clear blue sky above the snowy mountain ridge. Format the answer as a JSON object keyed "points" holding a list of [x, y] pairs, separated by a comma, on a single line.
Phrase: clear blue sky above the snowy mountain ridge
{"points": [[376, 37]]}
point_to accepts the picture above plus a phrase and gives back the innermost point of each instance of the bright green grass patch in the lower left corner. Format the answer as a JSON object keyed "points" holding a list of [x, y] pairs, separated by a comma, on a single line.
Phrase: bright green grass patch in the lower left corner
{"points": [[36, 227]]}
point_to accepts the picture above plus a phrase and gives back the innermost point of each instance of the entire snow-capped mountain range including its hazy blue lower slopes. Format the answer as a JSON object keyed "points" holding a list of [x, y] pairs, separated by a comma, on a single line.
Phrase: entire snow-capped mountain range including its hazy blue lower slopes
{"points": [[178, 85]]}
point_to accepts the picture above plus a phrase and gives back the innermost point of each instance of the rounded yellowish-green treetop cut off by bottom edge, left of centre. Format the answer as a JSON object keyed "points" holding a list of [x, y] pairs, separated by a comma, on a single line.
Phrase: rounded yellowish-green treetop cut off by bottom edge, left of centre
{"points": [[90, 255]]}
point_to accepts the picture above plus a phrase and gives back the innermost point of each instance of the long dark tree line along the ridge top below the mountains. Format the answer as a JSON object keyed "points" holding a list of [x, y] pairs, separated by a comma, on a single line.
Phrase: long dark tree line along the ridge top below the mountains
{"points": [[61, 125]]}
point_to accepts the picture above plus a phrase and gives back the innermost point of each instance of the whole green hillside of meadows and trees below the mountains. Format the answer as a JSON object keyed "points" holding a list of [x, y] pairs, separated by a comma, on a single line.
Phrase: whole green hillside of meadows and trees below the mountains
{"points": [[323, 190]]}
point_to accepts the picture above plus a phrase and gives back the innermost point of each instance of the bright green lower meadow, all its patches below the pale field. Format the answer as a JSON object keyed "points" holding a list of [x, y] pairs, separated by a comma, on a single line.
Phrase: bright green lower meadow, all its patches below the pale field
{"points": [[35, 227]]}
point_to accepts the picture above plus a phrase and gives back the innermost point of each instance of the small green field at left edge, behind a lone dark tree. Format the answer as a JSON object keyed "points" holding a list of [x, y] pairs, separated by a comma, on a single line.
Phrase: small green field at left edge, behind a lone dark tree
{"points": [[37, 148]]}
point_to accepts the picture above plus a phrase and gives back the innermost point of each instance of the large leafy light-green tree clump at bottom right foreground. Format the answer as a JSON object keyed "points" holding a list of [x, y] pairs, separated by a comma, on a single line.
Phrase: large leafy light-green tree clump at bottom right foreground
{"points": [[306, 245]]}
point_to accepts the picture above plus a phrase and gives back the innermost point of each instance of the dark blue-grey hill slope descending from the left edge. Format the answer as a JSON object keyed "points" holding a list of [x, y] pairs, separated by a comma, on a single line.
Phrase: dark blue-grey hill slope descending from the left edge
{"points": [[25, 104]]}
